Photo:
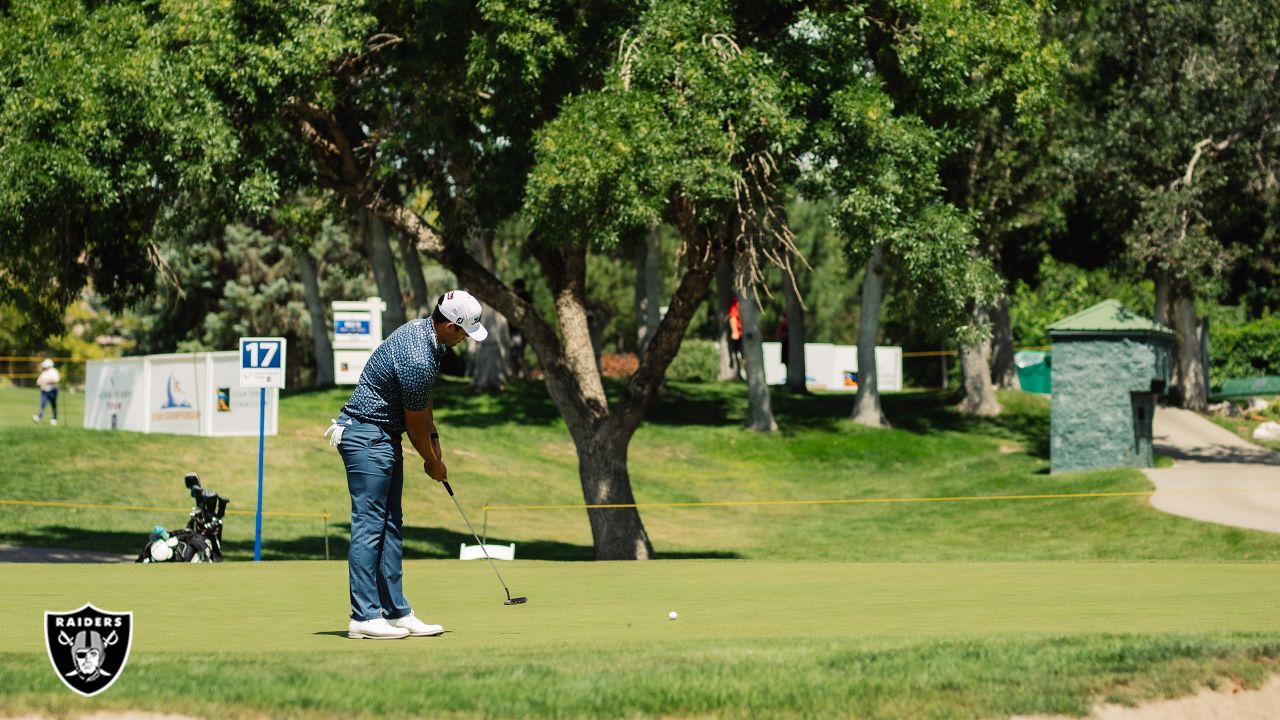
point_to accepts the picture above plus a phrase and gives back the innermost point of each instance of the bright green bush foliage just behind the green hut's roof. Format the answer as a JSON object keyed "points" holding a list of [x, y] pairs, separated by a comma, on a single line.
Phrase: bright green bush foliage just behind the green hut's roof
{"points": [[1062, 290]]}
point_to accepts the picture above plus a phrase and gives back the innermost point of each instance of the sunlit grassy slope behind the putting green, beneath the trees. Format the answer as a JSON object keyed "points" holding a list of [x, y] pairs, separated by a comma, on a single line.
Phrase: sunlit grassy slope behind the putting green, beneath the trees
{"points": [[513, 449]]}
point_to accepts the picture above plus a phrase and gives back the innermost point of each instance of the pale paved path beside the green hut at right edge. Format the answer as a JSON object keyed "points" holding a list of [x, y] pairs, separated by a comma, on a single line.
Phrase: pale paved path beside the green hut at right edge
{"points": [[1209, 458]]}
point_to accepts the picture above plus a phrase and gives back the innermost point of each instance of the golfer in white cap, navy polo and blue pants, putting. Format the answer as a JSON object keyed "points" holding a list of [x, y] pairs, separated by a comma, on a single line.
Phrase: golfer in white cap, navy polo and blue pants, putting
{"points": [[394, 397]]}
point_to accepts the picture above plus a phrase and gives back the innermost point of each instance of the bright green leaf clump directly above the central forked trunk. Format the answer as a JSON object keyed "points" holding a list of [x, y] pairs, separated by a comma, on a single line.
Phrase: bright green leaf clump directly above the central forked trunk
{"points": [[684, 110]]}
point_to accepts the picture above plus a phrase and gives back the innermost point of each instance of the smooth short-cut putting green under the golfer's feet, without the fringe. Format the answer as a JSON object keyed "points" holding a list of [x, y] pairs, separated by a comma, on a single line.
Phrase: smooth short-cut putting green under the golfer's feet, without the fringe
{"points": [[303, 607]]}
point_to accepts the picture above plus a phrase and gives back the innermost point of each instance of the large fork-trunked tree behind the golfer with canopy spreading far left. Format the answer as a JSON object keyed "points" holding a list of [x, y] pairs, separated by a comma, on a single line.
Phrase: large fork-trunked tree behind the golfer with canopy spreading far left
{"points": [[619, 119]]}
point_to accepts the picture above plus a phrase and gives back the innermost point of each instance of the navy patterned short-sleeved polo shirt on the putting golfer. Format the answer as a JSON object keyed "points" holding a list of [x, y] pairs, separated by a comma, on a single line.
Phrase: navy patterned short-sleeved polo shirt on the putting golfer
{"points": [[400, 376]]}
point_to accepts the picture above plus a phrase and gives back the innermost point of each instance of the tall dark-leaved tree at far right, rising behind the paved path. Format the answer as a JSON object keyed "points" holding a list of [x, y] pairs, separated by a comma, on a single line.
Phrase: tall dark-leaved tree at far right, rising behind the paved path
{"points": [[1181, 107]]}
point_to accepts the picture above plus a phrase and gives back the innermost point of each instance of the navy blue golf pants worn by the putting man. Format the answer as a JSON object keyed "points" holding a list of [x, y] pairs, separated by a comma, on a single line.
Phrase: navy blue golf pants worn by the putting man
{"points": [[376, 477]]}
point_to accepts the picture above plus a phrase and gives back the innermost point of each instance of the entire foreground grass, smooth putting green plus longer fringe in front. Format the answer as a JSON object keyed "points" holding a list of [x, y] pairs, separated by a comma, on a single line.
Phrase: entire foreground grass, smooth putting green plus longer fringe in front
{"points": [[755, 639]]}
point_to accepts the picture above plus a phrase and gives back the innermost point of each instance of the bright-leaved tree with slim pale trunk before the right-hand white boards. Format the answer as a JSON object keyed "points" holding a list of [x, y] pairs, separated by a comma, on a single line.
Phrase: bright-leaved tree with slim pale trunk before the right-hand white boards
{"points": [[886, 125]]}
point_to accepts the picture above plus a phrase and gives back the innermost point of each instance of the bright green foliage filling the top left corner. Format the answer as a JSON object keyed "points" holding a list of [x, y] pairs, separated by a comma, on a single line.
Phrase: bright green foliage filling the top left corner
{"points": [[124, 122]]}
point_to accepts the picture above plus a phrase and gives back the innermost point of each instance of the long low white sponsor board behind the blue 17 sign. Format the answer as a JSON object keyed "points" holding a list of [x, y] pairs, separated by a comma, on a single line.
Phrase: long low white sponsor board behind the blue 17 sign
{"points": [[190, 394]]}
